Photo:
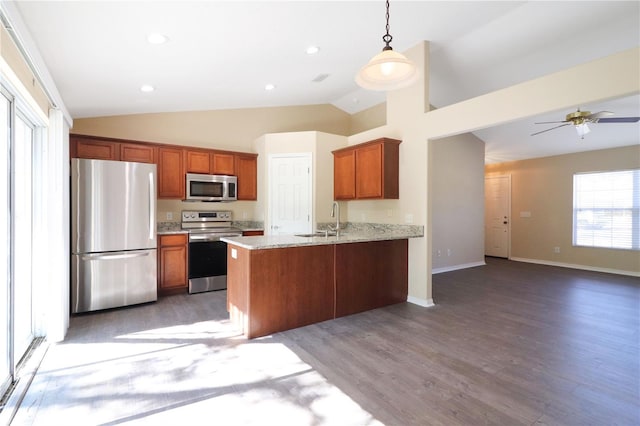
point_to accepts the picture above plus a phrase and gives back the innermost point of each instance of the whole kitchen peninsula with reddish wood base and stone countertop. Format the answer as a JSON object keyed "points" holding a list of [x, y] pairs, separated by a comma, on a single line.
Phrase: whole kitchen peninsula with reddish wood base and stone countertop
{"points": [[276, 283]]}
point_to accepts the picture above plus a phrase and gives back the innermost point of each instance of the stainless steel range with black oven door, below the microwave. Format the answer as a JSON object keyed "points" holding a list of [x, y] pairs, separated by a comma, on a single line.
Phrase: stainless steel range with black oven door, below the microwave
{"points": [[207, 254]]}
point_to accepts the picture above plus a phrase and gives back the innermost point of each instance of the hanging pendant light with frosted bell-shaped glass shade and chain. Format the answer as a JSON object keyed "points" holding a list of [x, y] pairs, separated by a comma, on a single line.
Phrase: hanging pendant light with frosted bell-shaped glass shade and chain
{"points": [[388, 70]]}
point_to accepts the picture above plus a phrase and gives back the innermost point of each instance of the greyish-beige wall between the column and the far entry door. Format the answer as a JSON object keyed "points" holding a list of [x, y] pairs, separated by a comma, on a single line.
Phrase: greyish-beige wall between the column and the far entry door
{"points": [[457, 190]]}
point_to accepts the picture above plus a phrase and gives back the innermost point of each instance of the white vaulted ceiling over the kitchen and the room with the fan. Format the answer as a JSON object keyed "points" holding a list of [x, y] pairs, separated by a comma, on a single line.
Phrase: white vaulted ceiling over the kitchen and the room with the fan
{"points": [[220, 55]]}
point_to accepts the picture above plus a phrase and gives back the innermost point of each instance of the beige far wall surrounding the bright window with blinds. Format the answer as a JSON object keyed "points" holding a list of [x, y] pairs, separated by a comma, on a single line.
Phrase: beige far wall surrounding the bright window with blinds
{"points": [[544, 187]]}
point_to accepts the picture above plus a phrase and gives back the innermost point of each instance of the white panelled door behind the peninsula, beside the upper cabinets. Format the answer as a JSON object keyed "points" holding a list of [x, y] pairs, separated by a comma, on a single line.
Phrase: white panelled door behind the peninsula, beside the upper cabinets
{"points": [[290, 200]]}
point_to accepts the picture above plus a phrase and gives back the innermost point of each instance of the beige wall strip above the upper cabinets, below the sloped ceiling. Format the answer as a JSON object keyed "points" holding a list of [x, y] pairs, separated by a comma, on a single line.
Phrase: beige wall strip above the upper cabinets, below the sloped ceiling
{"points": [[224, 129]]}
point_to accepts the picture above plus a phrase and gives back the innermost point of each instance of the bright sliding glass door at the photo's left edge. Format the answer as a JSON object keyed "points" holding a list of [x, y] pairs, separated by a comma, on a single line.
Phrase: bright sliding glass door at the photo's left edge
{"points": [[16, 237]]}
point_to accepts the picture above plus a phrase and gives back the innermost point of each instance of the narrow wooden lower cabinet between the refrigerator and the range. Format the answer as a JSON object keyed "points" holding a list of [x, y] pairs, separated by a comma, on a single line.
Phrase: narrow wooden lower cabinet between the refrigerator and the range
{"points": [[173, 275]]}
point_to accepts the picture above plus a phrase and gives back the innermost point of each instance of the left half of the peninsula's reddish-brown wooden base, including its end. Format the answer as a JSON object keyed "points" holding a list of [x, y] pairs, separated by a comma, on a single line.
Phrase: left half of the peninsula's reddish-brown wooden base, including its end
{"points": [[275, 290]]}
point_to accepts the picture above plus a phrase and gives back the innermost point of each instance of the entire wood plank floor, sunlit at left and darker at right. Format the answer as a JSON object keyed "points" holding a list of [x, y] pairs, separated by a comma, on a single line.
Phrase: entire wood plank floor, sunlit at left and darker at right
{"points": [[508, 343]]}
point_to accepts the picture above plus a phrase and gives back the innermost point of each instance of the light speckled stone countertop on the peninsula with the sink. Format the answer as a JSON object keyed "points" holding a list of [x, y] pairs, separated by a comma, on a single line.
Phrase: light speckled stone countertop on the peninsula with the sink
{"points": [[351, 235]]}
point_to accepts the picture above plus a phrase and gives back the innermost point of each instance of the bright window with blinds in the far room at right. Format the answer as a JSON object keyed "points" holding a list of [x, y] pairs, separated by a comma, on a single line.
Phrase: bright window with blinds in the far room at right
{"points": [[606, 209]]}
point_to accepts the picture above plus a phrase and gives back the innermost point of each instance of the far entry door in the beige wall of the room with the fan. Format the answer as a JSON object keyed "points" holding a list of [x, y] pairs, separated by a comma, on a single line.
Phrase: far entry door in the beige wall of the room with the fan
{"points": [[497, 207]]}
